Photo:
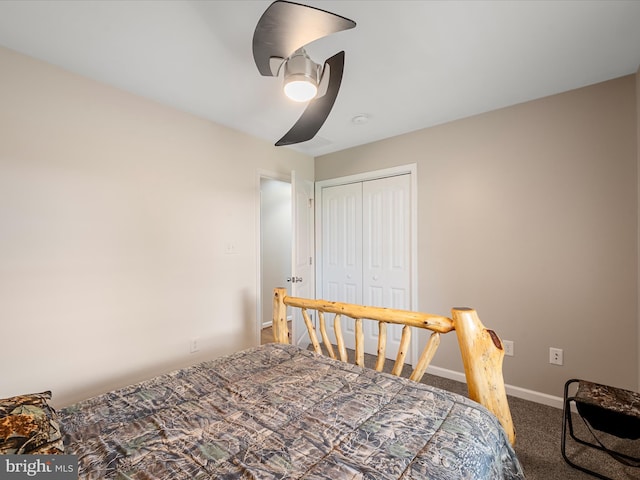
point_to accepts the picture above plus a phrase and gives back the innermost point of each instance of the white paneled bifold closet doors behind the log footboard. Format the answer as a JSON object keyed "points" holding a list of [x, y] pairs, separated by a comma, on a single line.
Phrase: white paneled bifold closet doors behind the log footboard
{"points": [[366, 258]]}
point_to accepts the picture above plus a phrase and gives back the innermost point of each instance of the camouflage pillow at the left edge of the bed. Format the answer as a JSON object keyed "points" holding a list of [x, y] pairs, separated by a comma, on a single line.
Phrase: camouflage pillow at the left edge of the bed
{"points": [[28, 424]]}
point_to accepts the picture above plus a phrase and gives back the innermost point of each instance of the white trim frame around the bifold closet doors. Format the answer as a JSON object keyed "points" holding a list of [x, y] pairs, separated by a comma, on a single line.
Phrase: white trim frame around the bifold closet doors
{"points": [[411, 170]]}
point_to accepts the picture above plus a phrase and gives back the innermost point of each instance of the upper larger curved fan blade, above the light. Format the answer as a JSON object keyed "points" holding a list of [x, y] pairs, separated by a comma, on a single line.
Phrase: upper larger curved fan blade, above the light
{"points": [[286, 26]]}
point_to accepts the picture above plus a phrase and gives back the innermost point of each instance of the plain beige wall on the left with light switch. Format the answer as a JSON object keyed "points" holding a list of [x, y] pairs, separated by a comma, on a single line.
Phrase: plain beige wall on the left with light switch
{"points": [[115, 216]]}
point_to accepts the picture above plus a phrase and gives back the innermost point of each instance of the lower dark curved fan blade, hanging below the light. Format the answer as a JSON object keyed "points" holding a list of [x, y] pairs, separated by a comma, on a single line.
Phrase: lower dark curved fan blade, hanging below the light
{"points": [[318, 109]]}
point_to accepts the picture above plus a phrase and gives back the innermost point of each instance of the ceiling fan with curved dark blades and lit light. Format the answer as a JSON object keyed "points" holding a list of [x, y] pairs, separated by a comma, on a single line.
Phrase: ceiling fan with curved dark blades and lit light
{"points": [[281, 34]]}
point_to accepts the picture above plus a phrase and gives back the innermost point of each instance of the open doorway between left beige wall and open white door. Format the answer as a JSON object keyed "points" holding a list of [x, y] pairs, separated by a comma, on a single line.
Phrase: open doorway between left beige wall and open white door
{"points": [[275, 246]]}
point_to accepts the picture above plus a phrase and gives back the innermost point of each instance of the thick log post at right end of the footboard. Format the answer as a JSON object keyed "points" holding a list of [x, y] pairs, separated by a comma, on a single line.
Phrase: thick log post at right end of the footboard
{"points": [[482, 356]]}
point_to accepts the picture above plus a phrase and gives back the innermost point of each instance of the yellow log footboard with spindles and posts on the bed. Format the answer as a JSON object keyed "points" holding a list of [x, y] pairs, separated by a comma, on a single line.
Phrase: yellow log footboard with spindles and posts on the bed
{"points": [[481, 349]]}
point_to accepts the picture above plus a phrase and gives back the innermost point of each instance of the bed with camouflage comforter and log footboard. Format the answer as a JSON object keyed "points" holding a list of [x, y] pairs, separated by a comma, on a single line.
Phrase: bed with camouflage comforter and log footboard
{"points": [[279, 411]]}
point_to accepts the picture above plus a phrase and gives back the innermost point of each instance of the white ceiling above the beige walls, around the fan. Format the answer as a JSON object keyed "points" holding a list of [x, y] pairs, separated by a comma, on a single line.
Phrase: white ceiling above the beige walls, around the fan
{"points": [[409, 64]]}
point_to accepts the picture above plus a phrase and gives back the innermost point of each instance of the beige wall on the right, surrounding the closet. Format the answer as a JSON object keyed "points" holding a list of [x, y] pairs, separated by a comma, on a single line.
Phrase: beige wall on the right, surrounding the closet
{"points": [[529, 214]]}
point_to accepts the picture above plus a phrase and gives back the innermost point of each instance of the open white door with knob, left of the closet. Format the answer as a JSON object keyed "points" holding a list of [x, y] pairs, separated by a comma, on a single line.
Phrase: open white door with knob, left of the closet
{"points": [[302, 257]]}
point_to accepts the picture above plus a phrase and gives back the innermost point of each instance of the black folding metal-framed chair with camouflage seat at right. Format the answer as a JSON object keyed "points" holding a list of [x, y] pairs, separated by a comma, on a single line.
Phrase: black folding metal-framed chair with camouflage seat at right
{"points": [[608, 409]]}
